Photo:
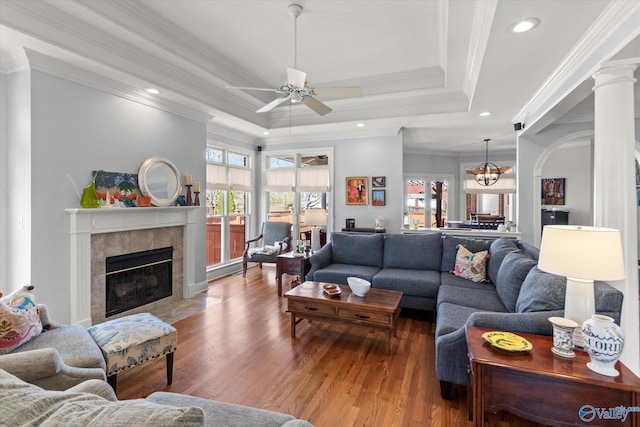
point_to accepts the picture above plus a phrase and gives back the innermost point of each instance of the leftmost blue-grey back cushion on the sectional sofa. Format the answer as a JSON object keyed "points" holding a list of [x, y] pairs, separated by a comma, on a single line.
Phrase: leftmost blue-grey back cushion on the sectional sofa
{"points": [[357, 249]]}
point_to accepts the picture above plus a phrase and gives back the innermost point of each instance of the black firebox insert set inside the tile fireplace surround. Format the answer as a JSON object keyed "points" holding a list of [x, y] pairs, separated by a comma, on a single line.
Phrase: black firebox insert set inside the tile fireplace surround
{"points": [[137, 279]]}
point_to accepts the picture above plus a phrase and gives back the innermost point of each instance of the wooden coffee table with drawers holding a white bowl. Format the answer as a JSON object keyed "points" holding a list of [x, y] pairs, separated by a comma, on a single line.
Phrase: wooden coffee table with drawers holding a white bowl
{"points": [[379, 309]]}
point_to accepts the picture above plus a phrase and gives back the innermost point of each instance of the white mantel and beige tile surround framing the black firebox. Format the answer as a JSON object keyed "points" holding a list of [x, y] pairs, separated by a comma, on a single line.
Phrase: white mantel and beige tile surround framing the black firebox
{"points": [[133, 227]]}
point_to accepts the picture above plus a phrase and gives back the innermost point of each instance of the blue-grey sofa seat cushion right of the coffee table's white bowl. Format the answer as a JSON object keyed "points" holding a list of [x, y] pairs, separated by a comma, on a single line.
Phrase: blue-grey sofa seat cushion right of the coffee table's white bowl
{"points": [[422, 283]]}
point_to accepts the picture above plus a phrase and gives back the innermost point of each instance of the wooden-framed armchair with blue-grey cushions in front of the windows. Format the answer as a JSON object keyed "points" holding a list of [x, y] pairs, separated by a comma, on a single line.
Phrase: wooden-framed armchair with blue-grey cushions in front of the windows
{"points": [[274, 239]]}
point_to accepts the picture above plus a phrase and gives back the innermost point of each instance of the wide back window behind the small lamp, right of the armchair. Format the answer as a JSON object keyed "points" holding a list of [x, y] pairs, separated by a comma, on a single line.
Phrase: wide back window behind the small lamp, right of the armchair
{"points": [[295, 183]]}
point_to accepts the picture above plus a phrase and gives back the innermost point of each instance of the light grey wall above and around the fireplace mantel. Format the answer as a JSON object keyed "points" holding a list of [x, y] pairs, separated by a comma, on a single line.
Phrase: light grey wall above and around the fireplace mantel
{"points": [[75, 130]]}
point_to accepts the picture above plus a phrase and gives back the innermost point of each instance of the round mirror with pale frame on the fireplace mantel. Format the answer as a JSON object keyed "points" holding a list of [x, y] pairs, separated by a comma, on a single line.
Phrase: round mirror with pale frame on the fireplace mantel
{"points": [[159, 179]]}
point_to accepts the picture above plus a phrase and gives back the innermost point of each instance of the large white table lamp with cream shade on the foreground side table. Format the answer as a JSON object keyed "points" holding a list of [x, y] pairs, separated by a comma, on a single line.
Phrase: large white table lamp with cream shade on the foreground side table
{"points": [[582, 254]]}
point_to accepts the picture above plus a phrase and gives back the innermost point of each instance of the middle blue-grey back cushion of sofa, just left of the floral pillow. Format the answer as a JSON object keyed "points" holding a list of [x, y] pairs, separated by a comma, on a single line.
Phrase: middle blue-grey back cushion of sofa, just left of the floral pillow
{"points": [[413, 251]]}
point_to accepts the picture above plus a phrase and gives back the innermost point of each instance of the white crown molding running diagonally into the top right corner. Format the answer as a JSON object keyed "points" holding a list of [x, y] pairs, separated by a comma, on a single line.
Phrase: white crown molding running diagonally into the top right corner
{"points": [[615, 27]]}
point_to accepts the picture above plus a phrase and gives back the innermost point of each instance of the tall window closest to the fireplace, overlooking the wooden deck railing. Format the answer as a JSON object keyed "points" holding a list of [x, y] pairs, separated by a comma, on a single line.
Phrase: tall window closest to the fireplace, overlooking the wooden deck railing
{"points": [[227, 202]]}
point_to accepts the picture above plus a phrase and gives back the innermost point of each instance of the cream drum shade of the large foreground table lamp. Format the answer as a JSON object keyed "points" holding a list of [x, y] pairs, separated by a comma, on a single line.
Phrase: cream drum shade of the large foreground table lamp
{"points": [[582, 252]]}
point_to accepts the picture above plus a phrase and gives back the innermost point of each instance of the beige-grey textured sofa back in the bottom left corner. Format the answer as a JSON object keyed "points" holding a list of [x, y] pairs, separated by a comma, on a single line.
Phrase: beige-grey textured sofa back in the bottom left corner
{"points": [[22, 403]]}
